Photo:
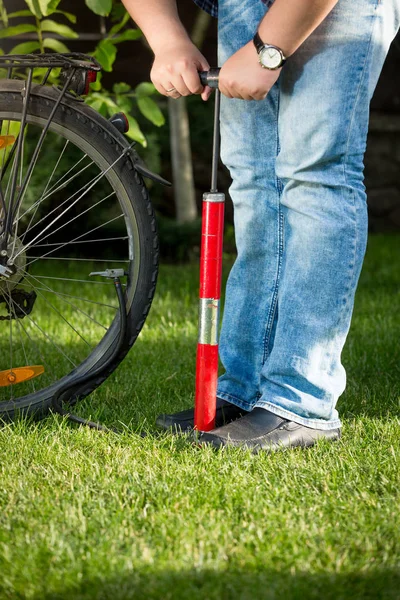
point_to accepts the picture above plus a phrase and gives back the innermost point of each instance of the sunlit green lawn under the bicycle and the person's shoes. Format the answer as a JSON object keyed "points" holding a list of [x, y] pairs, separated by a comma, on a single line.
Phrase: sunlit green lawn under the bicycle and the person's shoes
{"points": [[92, 515]]}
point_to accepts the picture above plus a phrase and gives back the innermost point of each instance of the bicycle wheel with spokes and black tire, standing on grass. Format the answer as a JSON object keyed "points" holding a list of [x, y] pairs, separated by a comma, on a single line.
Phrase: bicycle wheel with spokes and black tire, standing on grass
{"points": [[86, 209]]}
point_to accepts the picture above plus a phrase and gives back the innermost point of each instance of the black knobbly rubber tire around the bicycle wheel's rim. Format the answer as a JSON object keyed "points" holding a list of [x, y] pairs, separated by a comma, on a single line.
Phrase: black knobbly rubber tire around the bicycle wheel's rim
{"points": [[95, 136]]}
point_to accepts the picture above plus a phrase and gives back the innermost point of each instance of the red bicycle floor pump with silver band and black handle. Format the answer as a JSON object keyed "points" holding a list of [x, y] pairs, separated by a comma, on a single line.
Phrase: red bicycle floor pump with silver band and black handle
{"points": [[210, 281]]}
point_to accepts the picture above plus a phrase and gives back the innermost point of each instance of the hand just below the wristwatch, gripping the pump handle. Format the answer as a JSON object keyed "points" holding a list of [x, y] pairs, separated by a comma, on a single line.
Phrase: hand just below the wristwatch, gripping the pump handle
{"points": [[243, 77]]}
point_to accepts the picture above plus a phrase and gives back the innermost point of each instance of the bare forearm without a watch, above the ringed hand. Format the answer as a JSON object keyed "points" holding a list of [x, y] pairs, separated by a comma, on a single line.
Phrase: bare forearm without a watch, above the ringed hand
{"points": [[159, 21]]}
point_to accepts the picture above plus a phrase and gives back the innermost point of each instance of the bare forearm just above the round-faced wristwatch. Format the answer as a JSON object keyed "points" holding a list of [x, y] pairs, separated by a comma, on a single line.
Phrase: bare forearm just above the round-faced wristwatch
{"points": [[288, 23]]}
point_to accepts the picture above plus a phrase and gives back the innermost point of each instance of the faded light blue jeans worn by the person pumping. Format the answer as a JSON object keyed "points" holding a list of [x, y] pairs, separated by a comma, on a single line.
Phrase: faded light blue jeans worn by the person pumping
{"points": [[296, 161]]}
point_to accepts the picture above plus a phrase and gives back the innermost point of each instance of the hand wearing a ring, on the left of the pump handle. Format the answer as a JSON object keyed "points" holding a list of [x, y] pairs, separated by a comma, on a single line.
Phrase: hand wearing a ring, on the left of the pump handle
{"points": [[178, 67]]}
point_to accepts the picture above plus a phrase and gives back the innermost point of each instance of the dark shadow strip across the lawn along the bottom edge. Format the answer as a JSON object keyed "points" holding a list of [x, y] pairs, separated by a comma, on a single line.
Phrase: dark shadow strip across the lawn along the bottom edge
{"points": [[245, 584]]}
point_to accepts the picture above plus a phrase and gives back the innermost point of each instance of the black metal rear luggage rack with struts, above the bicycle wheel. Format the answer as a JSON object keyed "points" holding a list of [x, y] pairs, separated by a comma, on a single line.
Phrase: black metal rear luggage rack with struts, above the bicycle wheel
{"points": [[77, 71]]}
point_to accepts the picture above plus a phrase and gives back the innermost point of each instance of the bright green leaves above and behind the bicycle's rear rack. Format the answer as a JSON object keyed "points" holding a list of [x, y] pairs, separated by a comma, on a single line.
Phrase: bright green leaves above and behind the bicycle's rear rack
{"points": [[44, 29]]}
